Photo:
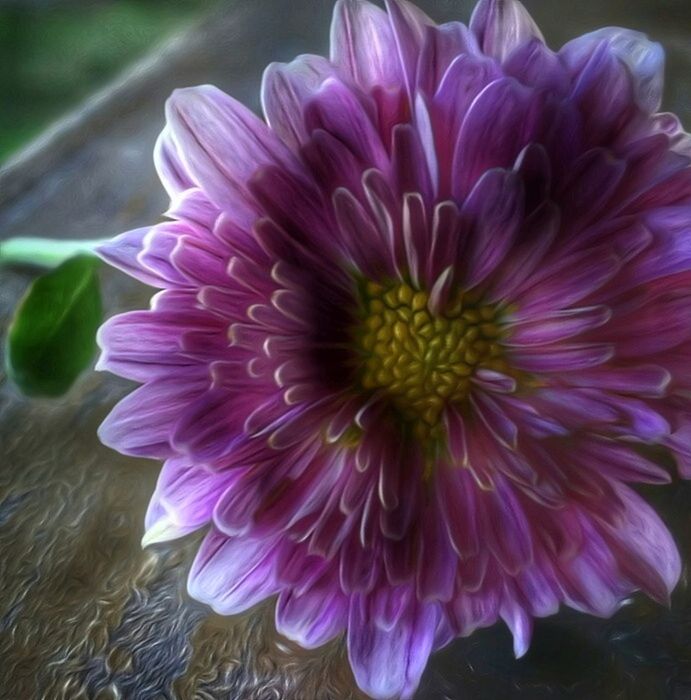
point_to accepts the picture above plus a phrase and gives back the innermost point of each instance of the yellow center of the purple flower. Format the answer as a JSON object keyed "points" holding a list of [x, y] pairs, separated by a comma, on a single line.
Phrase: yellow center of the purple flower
{"points": [[423, 360]]}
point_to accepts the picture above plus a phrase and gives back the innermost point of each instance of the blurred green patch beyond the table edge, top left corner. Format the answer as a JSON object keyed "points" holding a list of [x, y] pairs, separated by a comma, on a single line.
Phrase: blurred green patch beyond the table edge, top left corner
{"points": [[54, 53]]}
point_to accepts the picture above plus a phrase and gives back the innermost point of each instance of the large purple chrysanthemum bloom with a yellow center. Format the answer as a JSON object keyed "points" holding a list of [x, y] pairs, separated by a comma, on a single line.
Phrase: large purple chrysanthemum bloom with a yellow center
{"points": [[417, 333]]}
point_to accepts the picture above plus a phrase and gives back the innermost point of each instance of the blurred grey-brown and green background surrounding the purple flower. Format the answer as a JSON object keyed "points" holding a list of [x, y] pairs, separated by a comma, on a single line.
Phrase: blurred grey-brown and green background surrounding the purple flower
{"points": [[84, 612]]}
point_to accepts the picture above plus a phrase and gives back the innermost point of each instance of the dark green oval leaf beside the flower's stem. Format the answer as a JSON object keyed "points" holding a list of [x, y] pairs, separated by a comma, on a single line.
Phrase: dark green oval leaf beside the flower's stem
{"points": [[52, 338]]}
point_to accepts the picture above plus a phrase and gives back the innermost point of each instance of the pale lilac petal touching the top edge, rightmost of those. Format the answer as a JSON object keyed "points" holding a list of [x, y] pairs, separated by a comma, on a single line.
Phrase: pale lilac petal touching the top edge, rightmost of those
{"points": [[501, 26]]}
